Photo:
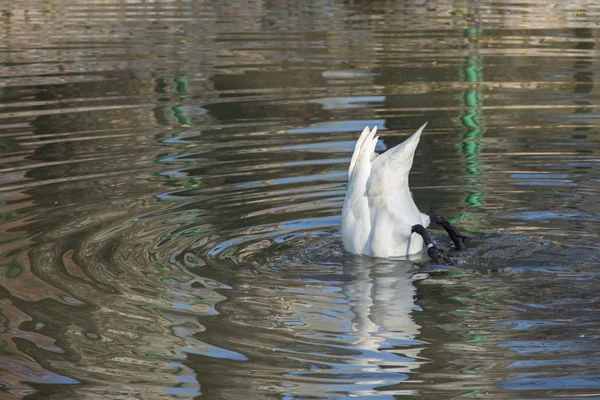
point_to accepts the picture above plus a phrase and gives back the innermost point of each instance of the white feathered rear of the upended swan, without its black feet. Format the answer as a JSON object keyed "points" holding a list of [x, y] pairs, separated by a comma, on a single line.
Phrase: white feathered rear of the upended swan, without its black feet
{"points": [[379, 211]]}
